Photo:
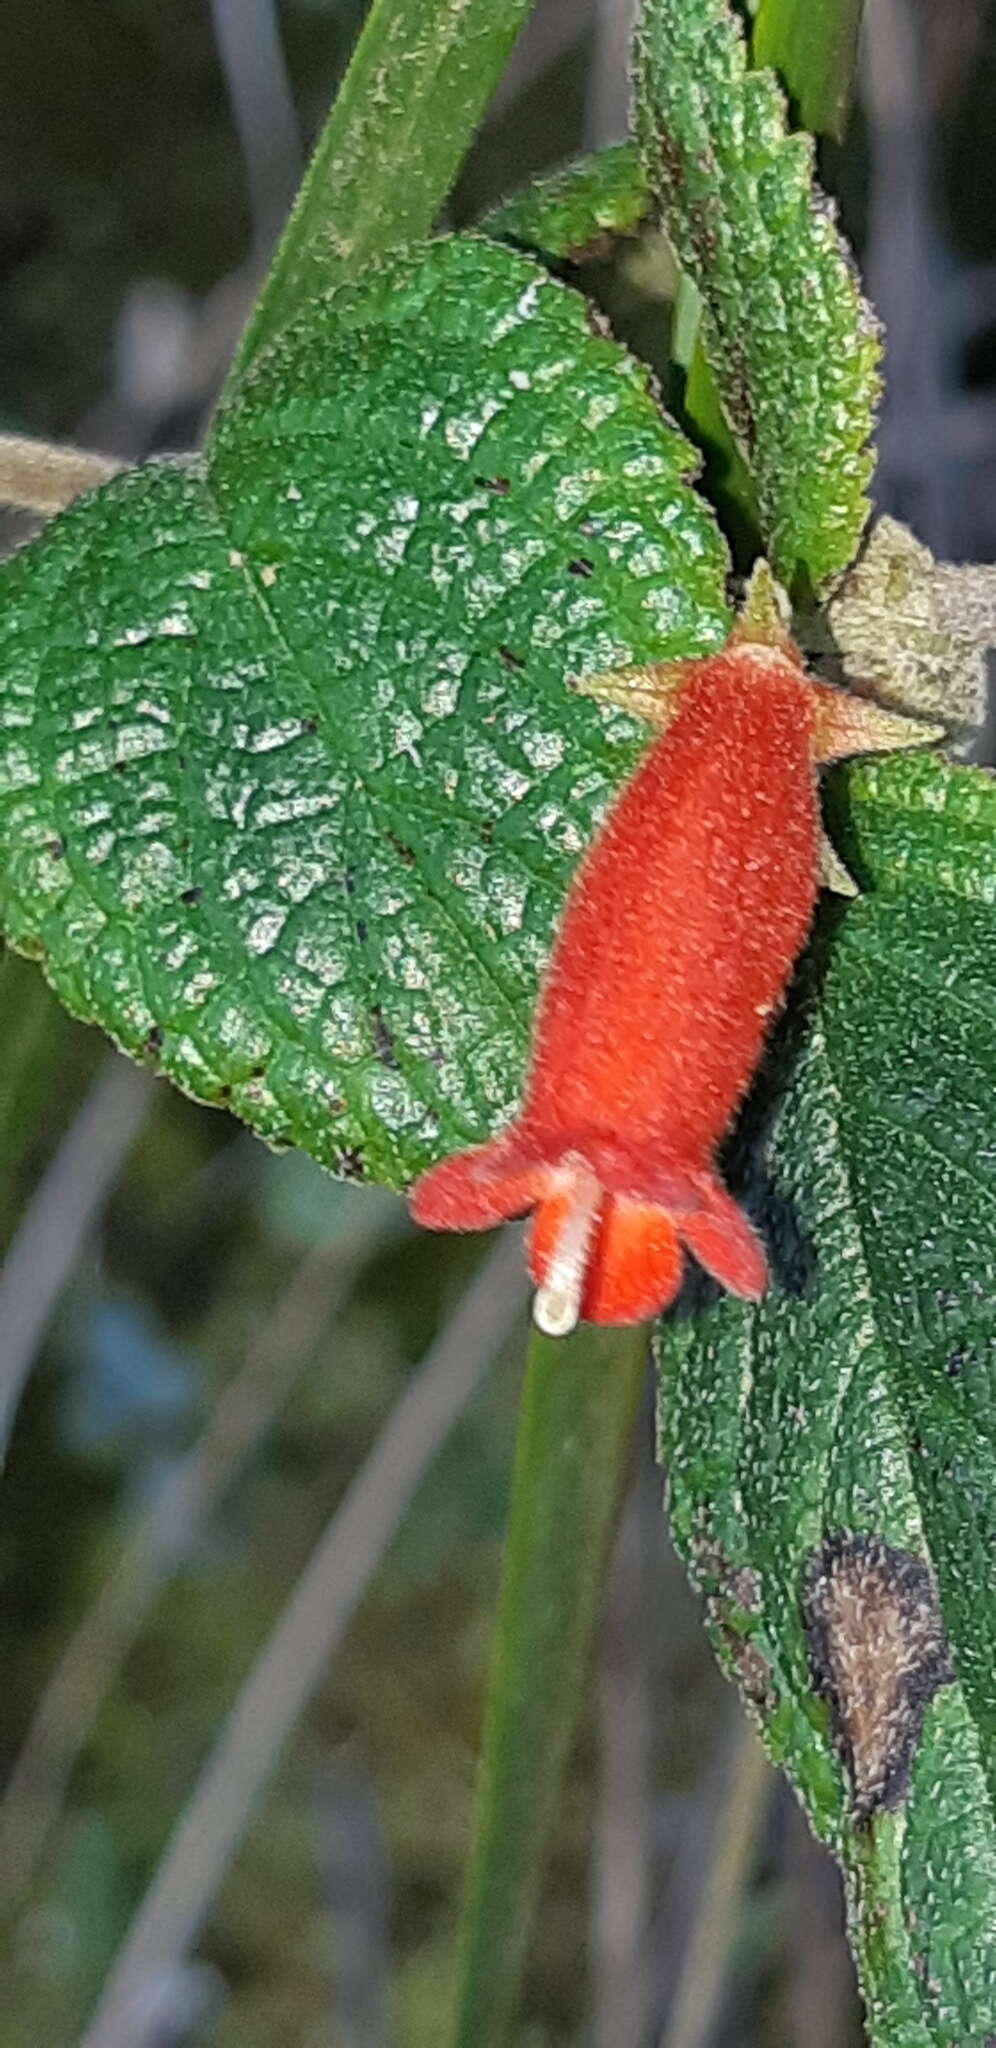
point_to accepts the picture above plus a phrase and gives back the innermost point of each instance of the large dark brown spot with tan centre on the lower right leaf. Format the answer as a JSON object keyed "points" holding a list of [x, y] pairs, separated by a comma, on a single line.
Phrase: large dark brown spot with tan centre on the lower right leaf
{"points": [[878, 1654]]}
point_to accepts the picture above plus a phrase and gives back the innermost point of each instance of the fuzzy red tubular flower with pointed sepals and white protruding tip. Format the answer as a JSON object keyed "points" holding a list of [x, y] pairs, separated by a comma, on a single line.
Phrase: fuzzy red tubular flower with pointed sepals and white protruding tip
{"points": [[671, 959]]}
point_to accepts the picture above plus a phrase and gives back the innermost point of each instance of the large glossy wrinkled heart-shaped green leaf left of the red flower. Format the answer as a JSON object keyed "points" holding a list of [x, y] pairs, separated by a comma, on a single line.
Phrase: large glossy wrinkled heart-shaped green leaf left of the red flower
{"points": [[292, 783]]}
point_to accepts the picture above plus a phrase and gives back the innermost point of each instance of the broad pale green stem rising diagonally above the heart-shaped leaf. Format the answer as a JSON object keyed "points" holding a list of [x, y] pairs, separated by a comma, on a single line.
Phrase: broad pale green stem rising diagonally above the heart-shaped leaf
{"points": [[403, 122]]}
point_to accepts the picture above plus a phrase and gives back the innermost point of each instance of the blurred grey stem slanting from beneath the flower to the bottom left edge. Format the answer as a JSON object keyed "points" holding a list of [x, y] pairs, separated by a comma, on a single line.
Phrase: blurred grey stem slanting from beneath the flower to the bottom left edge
{"points": [[294, 1660]]}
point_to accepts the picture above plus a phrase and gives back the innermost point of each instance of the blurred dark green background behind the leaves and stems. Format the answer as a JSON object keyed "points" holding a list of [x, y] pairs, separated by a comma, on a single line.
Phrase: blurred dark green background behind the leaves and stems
{"points": [[159, 1261]]}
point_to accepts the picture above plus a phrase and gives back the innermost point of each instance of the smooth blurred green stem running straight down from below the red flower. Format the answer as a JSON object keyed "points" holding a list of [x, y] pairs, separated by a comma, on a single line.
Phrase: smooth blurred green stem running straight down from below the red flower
{"points": [[575, 1439]]}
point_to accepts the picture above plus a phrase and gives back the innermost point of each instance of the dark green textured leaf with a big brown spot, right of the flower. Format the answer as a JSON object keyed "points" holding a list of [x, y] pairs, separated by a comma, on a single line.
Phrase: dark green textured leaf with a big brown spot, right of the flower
{"points": [[856, 1408]]}
